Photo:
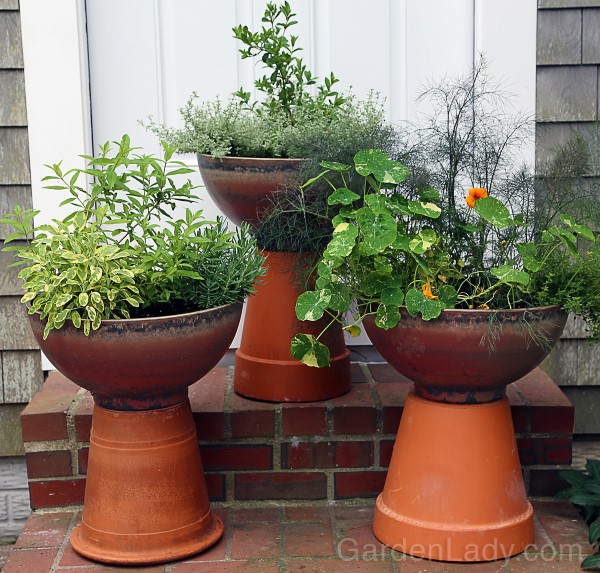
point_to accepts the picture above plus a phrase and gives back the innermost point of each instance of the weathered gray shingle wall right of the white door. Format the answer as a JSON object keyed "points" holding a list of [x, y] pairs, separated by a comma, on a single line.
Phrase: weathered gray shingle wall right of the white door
{"points": [[567, 99]]}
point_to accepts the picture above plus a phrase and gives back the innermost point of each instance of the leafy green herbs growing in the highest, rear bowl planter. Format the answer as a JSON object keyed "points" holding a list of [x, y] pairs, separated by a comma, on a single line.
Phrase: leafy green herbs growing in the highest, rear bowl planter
{"points": [[290, 99]]}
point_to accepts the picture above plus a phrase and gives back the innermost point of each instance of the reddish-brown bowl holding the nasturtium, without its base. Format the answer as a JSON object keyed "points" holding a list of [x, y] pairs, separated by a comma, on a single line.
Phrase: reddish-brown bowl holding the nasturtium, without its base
{"points": [[468, 355]]}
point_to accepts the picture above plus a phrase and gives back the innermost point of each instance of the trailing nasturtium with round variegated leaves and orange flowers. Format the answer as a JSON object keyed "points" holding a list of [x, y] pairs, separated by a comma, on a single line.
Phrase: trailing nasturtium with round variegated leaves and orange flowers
{"points": [[392, 248]]}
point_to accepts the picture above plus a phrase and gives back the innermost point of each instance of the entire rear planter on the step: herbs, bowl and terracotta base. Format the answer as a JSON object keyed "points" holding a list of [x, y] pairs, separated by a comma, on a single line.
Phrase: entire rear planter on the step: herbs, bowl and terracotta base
{"points": [[252, 156]]}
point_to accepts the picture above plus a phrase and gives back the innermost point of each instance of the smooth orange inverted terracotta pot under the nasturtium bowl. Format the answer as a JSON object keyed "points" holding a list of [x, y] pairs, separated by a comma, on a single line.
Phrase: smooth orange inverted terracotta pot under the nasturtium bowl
{"points": [[454, 490]]}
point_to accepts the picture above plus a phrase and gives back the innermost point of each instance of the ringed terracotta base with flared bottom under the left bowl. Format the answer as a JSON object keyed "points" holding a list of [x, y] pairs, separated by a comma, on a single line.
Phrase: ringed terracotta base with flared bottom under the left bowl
{"points": [[145, 499]]}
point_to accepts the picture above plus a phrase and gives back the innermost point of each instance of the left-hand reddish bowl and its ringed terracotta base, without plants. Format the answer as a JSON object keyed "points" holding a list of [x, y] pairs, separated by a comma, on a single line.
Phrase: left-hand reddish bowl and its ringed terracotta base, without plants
{"points": [[145, 499]]}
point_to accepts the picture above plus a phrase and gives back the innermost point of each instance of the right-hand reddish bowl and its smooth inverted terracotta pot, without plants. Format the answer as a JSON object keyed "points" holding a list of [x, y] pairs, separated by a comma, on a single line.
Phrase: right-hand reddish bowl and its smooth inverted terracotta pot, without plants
{"points": [[454, 489]]}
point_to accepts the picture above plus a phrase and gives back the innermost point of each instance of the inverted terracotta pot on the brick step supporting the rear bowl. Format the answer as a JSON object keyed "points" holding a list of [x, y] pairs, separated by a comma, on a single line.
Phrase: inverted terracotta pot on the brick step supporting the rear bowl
{"points": [[264, 366]]}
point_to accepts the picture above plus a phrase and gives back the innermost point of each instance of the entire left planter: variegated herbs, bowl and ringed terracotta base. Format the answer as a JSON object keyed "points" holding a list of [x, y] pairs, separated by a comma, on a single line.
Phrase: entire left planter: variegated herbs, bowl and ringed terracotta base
{"points": [[135, 304]]}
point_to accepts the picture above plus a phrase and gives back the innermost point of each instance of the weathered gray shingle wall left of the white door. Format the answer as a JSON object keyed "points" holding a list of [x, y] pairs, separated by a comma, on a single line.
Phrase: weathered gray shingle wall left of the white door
{"points": [[20, 365]]}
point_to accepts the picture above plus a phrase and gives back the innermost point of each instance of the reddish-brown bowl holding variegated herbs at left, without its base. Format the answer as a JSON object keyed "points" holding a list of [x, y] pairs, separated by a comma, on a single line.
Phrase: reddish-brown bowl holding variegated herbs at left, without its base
{"points": [[141, 363]]}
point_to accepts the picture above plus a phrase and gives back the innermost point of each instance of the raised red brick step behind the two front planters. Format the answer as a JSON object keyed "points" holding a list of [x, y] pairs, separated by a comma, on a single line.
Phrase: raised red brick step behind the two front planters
{"points": [[334, 450]]}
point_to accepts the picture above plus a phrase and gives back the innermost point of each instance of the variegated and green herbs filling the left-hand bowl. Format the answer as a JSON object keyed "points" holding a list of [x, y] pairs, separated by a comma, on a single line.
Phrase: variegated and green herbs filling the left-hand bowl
{"points": [[121, 253]]}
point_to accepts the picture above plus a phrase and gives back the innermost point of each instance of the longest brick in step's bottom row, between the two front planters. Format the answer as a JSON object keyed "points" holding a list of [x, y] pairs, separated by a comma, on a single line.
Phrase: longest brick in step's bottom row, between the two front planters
{"points": [[282, 485]]}
